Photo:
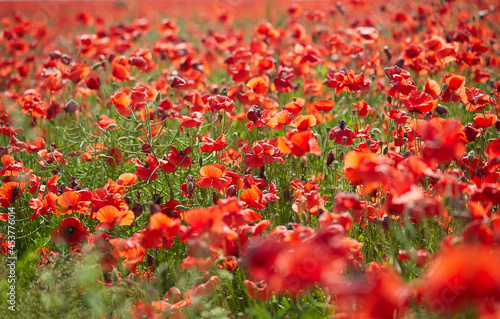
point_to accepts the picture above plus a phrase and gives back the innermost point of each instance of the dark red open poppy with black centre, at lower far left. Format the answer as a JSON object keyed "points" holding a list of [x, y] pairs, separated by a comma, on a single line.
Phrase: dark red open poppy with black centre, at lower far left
{"points": [[71, 231]]}
